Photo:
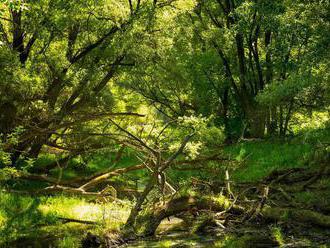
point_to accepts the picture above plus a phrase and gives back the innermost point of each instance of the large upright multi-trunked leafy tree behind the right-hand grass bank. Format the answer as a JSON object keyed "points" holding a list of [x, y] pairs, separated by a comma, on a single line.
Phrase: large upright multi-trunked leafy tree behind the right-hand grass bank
{"points": [[231, 55]]}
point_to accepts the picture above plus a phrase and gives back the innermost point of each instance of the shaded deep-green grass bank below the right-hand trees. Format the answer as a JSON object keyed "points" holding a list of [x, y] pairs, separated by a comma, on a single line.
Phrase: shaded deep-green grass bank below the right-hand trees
{"points": [[257, 158]]}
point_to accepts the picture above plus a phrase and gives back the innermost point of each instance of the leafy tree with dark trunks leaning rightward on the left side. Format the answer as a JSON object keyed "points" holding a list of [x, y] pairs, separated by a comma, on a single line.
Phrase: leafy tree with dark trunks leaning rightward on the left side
{"points": [[58, 59]]}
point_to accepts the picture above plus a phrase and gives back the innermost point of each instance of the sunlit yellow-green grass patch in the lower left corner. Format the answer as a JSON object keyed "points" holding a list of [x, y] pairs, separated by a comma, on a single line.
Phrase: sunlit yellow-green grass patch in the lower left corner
{"points": [[25, 218]]}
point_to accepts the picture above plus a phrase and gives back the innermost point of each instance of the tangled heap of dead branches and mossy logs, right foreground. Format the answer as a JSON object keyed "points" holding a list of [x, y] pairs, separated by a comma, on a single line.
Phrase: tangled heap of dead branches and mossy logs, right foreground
{"points": [[271, 200]]}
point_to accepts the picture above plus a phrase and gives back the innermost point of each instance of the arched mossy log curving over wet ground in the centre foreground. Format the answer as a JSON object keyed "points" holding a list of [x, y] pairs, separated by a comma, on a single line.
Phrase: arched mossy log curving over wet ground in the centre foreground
{"points": [[149, 221]]}
